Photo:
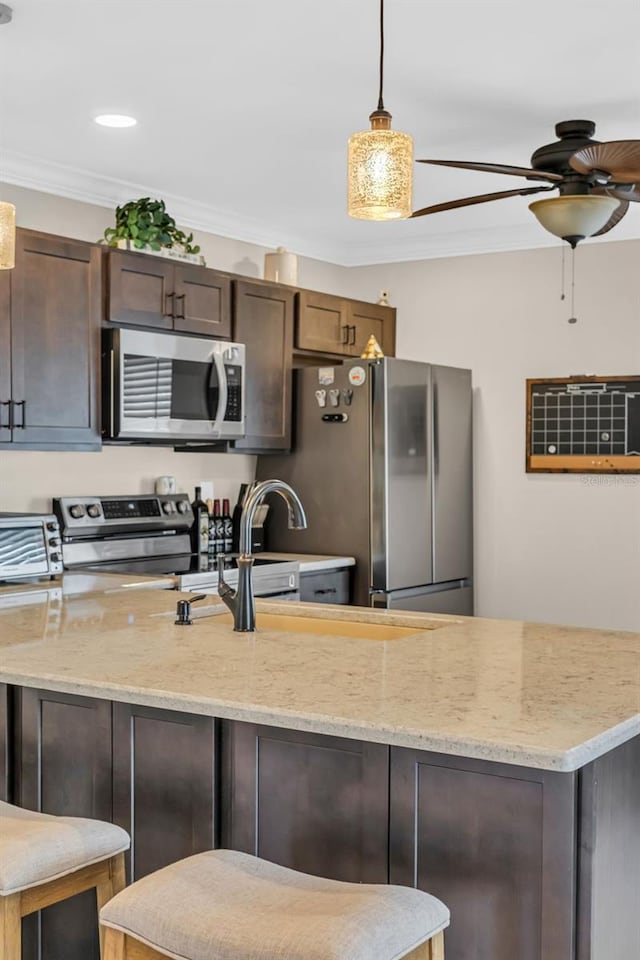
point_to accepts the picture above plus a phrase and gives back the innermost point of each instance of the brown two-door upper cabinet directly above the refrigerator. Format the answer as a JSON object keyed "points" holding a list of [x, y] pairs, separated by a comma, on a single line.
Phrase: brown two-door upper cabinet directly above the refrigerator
{"points": [[327, 325]]}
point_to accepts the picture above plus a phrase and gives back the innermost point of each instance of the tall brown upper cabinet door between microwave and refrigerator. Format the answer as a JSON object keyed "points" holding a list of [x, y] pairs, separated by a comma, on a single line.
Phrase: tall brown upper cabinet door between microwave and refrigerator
{"points": [[263, 320]]}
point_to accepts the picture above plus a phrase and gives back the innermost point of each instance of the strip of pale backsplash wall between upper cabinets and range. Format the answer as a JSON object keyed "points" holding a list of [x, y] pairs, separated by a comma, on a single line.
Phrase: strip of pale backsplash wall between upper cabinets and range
{"points": [[28, 479]]}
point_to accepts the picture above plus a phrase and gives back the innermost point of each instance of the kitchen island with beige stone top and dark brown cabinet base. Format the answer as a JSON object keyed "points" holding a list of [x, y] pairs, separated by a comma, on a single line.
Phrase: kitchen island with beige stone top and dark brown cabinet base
{"points": [[494, 763]]}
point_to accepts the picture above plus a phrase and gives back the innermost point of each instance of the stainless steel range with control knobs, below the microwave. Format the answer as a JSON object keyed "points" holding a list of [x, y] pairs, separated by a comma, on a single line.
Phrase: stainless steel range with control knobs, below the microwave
{"points": [[149, 535]]}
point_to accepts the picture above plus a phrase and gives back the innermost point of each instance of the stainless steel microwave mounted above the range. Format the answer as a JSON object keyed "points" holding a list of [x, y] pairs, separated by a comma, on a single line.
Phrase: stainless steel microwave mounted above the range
{"points": [[169, 387]]}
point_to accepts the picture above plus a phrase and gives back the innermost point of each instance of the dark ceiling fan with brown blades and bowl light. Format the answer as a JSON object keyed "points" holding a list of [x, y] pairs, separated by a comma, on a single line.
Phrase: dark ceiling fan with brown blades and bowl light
{"points": [[596, 182]]}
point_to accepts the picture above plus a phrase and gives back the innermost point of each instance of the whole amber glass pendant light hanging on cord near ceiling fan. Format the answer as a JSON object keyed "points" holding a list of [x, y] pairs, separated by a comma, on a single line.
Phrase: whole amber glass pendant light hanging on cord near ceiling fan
{"points": [[380, 172]]}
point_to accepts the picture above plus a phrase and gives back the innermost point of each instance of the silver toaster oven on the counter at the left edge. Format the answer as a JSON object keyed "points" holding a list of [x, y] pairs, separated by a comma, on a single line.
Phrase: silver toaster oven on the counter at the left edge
{"points": [[29, 547]]}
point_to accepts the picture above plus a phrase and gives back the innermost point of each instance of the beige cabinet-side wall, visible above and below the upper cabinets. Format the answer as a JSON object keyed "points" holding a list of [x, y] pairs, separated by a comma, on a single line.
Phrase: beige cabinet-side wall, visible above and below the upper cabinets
{"points": [[28, 479]]}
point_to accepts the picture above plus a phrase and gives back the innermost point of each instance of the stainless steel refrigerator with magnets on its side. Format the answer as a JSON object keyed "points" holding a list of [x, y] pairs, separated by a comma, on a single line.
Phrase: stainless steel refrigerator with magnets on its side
{"points": [[382, 462]]}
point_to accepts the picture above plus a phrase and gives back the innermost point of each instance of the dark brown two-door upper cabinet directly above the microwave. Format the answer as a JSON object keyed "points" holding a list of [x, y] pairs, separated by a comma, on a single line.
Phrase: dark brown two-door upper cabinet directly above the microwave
{"points": [[152, 292]]}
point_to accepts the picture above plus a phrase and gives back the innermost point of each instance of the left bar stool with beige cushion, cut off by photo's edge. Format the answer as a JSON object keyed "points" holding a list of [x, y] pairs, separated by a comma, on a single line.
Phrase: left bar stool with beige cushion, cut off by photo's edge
{"points": [[45, 859]]}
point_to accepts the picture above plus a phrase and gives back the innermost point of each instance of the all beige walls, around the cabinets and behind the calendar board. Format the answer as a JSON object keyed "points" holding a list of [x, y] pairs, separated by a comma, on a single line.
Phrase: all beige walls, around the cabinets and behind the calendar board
{"points": [[550, 548]]}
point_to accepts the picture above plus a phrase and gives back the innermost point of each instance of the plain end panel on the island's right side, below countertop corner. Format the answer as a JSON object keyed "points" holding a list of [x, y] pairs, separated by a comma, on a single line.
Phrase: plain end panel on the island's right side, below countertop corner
{"points": [[609, 856]]}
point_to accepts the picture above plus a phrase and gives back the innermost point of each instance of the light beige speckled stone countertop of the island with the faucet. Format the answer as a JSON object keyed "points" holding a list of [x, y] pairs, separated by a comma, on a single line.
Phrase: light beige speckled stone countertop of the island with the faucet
{"points": [[530, 694]]}
